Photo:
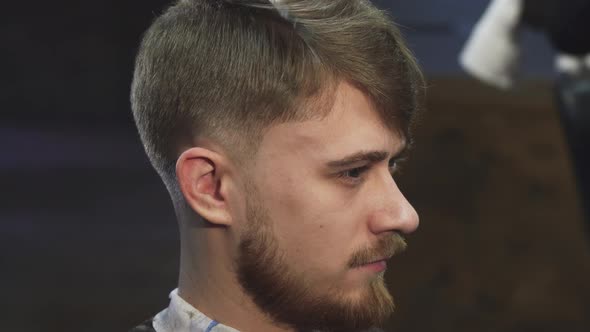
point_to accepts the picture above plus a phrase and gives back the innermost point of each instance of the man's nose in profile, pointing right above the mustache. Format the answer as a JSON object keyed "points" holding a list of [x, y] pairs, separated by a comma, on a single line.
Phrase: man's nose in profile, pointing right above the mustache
{"points": [[393, 212]]}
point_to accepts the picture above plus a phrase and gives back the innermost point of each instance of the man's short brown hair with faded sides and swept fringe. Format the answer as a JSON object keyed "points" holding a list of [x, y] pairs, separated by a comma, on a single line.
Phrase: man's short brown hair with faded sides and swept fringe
{"points": [[228, 69]]}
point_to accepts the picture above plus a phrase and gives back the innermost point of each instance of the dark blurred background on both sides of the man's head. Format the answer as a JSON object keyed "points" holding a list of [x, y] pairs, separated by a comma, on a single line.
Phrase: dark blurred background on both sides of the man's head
{"points": [[88, 237]]}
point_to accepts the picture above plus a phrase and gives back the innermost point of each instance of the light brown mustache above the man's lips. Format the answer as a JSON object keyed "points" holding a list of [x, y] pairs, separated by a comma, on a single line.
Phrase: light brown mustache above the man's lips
{"points": [[386, 247]]}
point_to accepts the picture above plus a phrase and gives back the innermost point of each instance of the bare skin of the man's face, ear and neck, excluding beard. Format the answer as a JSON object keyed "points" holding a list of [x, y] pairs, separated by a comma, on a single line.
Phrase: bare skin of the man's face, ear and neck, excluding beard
{"points": [[320, 215]]}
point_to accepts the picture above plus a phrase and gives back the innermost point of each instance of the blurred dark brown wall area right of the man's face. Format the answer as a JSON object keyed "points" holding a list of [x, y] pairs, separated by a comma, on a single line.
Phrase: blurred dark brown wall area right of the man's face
{"points": [[501, 244]]}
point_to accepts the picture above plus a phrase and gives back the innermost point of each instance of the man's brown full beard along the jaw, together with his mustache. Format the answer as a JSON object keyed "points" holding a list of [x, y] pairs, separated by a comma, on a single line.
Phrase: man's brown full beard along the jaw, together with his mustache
{"points": [[290, 300]]}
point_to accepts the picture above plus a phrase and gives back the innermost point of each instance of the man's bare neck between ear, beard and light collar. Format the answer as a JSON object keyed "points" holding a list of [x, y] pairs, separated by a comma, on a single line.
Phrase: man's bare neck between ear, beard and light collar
{"points": [[208, 282]]}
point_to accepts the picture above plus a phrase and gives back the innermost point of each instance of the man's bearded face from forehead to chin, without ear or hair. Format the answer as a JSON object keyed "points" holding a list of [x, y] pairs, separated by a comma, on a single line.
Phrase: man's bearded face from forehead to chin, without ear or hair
{"points": [[320, 213]]}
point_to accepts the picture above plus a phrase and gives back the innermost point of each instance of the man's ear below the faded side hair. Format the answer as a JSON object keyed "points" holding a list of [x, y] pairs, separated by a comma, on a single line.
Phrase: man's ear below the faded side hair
{"points": [[201, 173]]}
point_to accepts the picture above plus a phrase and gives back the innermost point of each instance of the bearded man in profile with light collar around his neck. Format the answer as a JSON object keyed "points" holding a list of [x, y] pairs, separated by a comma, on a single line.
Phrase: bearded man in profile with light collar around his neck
{"points": [[276, 127]]}
